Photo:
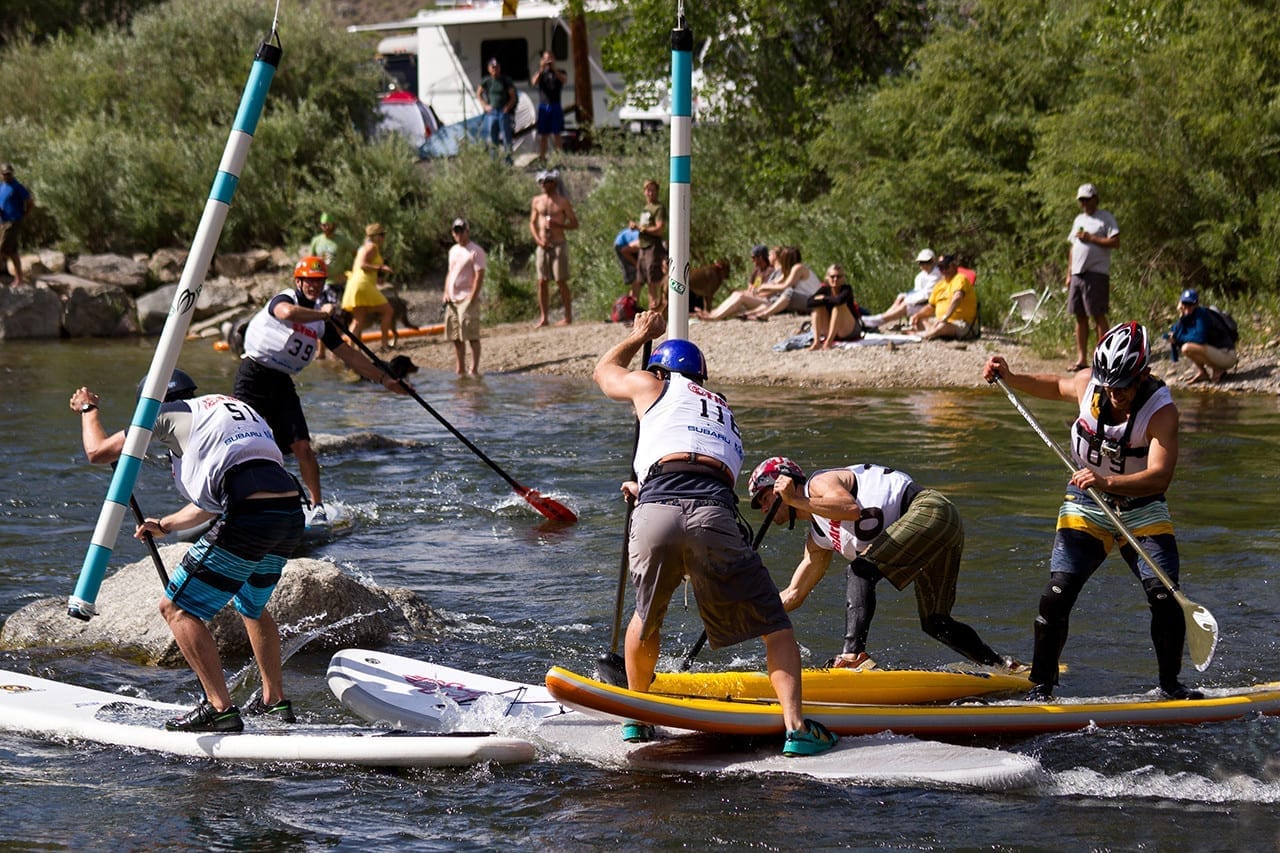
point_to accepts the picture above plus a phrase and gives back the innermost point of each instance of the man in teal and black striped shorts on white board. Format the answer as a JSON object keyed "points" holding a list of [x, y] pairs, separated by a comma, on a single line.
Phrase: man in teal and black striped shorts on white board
{"points": [[227, 464]]}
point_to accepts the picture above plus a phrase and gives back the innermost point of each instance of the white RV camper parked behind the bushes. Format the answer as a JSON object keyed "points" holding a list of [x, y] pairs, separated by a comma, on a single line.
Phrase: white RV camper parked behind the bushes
{"points": [[444, 60]]}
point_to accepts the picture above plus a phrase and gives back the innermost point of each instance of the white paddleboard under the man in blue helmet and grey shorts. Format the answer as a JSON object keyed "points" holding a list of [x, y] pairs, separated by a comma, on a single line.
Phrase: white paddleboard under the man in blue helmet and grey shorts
{"points": [[401, 691]]}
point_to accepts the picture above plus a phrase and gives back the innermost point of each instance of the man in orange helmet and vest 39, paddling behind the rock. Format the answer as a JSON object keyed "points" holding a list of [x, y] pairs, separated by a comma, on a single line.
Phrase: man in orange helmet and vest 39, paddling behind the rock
{"points": [[280, 343]]}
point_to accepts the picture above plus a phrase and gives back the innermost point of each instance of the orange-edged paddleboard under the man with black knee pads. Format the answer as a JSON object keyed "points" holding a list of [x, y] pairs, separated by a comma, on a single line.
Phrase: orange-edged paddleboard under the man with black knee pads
{"points": [[764, 717]]}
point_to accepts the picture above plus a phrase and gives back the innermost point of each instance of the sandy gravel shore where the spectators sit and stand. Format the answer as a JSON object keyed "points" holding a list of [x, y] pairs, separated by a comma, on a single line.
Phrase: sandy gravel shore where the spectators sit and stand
{"points": [[742, 353]]}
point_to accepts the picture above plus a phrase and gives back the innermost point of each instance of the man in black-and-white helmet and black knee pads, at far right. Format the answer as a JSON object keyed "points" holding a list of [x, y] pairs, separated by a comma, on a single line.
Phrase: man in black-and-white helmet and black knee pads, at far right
{"points": [[1124, 440]]}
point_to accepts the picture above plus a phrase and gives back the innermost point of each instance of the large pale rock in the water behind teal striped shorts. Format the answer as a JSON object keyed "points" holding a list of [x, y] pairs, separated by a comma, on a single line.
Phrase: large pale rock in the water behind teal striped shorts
{"points": [[314, 597]]}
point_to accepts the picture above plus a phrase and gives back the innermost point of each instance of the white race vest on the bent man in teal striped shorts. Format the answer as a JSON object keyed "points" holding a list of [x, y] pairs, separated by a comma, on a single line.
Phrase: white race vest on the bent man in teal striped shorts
{"points": [[208, 436]]}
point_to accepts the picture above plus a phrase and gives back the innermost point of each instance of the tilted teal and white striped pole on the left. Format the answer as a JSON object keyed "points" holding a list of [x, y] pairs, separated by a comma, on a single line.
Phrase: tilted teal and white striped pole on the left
{"points": [[266, 62]]}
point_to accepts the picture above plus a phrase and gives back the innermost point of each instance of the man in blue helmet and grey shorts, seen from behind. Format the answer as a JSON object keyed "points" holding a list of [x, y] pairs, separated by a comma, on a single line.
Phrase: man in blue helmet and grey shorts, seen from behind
{"points": [[685, 524]]}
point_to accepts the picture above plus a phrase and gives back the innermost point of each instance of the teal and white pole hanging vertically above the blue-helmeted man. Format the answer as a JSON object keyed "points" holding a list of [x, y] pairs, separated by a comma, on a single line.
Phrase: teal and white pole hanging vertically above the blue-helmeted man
{"points": [[679, 197]]}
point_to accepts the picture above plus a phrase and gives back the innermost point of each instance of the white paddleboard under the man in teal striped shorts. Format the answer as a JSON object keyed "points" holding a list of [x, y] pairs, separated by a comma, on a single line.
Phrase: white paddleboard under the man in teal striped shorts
{"points": [[53, 710]]}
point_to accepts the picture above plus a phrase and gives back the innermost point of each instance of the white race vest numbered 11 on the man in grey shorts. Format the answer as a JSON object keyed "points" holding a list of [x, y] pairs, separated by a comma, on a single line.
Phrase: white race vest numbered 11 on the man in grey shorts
{"points": [[688, 419]]}
